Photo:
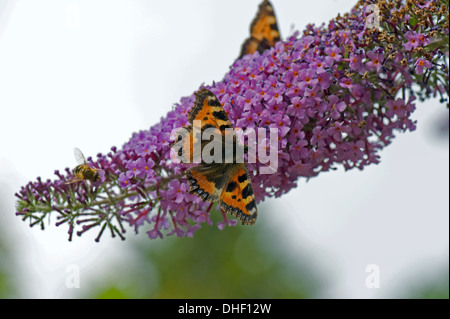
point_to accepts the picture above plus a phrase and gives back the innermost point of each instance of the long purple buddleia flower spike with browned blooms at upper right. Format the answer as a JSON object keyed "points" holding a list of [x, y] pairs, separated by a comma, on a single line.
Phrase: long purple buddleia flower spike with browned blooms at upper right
{"points": [[336, 95]]}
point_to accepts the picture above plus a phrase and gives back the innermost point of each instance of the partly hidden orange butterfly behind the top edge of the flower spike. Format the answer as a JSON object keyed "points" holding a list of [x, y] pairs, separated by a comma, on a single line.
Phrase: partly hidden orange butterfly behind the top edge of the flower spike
{"points": [[263, 31]]}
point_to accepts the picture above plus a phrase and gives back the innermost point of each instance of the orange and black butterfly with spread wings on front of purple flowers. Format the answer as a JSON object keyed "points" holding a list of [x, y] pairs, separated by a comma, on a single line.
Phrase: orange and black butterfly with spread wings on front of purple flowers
{"points": [[227, 182]]}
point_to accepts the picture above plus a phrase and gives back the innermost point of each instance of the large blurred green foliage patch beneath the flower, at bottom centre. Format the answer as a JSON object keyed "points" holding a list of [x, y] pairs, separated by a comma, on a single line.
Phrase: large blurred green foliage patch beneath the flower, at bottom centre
{"points": [[238, 262]]}
